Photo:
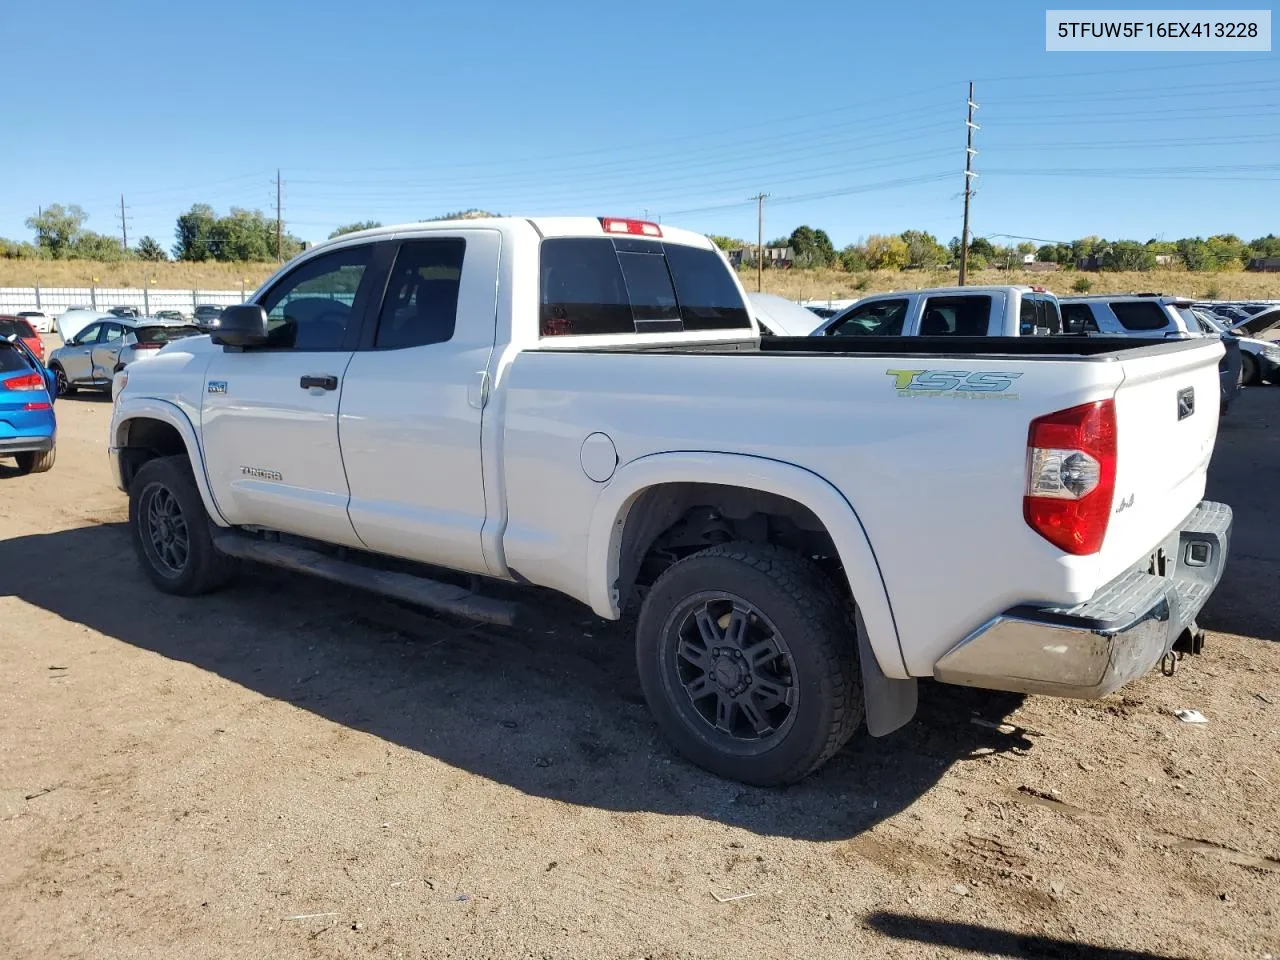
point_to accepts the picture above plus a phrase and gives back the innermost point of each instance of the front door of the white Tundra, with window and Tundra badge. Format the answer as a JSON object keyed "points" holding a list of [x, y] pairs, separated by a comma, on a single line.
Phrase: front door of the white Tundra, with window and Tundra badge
{"points": [[269, 418]]}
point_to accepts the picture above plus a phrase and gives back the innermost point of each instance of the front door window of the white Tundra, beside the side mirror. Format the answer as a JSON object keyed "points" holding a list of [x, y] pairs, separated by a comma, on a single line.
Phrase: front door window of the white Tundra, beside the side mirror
{"points": [[312, 309]]}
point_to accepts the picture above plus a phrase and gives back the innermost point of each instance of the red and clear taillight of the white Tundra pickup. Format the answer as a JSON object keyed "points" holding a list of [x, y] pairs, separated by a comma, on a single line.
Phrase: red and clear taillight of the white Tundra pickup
{"points": [[1072, 476]]}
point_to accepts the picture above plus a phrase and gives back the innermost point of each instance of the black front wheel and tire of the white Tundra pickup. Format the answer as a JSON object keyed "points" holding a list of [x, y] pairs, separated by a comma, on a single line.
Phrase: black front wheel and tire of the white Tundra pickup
{"points": [[171, 529]]}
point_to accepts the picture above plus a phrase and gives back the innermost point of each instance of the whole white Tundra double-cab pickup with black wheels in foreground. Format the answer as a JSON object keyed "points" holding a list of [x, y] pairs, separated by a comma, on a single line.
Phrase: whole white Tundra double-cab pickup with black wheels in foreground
{"points": [[807, 525]]}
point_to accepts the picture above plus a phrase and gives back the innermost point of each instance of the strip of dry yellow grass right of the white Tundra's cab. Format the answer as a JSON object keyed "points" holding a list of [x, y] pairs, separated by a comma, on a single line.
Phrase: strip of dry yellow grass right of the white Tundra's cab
{"points": [[836, 285]]}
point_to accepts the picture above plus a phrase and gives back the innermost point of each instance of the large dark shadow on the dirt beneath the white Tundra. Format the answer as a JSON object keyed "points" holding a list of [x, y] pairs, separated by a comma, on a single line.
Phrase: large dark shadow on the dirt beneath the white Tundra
{"points": [[555, 711]]}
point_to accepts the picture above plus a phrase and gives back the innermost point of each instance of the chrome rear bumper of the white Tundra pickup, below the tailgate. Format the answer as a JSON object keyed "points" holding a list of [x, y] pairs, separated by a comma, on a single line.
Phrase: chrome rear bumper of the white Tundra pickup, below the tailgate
{"points": [[1096, 647]]}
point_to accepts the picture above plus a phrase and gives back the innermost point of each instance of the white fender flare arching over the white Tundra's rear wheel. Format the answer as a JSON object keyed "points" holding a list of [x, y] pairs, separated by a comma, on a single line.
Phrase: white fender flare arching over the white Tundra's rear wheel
{"points": [[605, 536]]}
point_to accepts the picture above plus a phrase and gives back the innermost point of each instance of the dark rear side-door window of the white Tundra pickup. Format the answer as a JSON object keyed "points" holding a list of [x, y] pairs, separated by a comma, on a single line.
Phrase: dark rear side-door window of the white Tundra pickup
{"points": [[422, 304]]}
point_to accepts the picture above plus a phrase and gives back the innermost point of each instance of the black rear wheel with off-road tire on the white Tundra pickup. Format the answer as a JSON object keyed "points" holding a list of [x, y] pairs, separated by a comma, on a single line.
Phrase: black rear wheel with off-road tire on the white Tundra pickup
{"points": [[749, 664]]}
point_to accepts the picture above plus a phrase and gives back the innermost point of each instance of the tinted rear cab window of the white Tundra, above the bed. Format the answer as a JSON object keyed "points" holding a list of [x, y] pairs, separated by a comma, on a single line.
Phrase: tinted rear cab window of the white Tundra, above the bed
{"points": [[600, 286]]}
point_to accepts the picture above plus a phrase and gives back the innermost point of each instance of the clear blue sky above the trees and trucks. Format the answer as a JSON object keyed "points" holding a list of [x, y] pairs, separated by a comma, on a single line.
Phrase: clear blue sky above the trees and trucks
{"points": [[851, 116]]}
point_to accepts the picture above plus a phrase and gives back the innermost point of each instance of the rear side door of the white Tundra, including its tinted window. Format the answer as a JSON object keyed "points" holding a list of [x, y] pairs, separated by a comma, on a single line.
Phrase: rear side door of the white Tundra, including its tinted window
{"points": [[414, 400]]}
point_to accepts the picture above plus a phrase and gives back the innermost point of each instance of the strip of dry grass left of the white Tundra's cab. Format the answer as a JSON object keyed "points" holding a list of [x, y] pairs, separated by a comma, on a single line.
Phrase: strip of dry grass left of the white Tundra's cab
{"points": [[83, 273]]}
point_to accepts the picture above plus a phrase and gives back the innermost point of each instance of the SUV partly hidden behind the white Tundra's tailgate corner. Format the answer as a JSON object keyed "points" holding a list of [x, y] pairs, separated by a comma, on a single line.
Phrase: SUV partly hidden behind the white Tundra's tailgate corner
{"points": [[1153, 316]]}
